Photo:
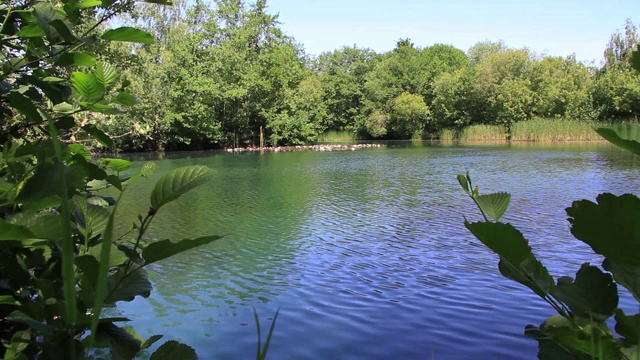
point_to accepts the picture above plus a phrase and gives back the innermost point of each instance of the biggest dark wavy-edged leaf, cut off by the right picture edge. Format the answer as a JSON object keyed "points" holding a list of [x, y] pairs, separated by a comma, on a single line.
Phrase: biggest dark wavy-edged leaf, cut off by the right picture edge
{"points": [[611, 227]]}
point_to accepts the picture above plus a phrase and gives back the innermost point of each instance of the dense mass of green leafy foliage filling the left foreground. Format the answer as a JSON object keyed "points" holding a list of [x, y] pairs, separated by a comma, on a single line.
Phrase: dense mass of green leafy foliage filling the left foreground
{"points": [[60, 261]]}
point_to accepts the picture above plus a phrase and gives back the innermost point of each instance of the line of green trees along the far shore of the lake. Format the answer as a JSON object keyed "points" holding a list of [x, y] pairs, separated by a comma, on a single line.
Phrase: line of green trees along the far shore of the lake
{"points": [[226, 75]]}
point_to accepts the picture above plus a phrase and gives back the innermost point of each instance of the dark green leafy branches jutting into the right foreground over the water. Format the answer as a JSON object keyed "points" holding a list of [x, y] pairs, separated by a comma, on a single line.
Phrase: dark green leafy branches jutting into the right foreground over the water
{"points": [[585, 304]]}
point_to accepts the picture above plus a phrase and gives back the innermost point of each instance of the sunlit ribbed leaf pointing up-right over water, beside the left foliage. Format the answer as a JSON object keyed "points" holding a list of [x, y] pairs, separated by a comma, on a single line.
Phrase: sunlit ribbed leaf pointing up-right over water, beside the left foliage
{"points": [[177, 182]]}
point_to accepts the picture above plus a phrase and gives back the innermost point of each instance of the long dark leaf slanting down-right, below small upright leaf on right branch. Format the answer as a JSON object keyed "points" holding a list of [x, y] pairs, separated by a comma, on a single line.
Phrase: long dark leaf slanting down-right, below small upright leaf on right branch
{"points": [[517, 262]]}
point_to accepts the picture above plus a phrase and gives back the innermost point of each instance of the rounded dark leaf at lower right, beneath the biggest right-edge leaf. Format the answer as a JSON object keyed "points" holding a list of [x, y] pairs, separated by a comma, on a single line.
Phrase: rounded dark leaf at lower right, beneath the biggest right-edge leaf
{"points": [[593, 294]]}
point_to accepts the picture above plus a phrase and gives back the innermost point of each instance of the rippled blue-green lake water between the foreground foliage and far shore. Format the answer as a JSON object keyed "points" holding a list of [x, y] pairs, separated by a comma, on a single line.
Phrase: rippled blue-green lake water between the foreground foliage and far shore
{"points": [[365, 253]]}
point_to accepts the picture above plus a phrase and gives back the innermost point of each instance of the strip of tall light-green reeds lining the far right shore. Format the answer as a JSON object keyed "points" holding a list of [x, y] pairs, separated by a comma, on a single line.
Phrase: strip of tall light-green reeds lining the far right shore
{"points": [[532, 130]]}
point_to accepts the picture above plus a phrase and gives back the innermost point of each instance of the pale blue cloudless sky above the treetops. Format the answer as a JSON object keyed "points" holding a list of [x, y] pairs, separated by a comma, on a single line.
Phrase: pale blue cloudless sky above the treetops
{"points": [[561, 27]]}
